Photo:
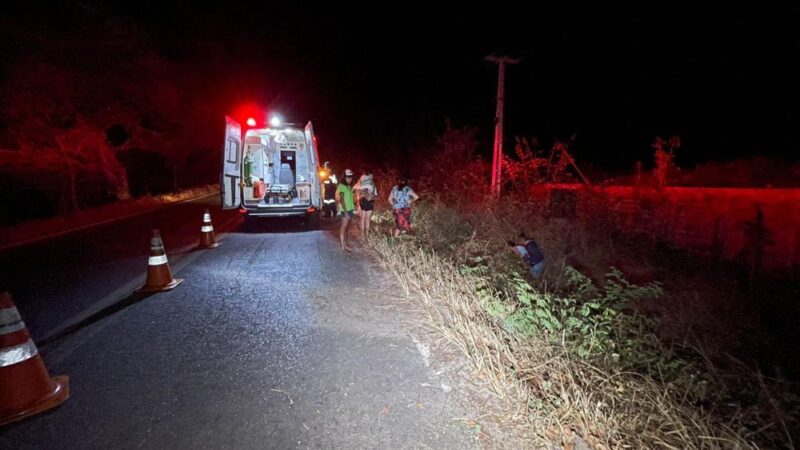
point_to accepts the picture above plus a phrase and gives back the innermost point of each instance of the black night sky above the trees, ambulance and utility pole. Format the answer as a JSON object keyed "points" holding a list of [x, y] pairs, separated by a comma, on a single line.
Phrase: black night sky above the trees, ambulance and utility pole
{"points": [[378, 82]]}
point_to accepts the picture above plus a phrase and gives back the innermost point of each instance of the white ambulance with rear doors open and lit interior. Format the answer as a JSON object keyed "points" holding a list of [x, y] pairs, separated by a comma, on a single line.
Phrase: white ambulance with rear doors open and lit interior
{"points": [[271, 172]]}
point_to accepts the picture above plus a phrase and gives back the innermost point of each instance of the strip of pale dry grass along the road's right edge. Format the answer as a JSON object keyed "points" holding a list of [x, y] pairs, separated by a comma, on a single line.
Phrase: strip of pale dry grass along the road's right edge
{"points": [[551, 393]]}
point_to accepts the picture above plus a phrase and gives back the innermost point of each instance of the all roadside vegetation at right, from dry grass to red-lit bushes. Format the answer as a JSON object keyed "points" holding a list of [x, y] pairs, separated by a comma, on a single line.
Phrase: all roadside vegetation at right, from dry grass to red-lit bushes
{"points": [[597, 348]]}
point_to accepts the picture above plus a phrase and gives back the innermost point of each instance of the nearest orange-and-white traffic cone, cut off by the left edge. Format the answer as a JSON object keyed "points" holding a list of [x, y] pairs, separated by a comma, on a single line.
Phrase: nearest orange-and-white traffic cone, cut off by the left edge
{"points": [[25, 385]]}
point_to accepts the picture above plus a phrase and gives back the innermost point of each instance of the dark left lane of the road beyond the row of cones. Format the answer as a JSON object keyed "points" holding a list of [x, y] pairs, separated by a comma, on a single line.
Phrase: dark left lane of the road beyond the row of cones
{"points": [[56, 283]]}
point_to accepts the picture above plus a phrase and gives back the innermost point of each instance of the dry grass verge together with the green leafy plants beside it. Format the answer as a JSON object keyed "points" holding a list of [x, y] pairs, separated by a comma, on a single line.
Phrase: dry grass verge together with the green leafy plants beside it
{"points": [[622, 389]]}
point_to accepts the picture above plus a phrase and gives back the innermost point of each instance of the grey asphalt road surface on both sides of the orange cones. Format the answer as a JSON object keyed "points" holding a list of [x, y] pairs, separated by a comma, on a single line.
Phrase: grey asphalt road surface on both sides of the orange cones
{"points": [[276, 339]]}
